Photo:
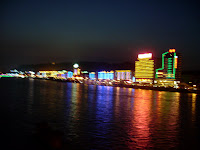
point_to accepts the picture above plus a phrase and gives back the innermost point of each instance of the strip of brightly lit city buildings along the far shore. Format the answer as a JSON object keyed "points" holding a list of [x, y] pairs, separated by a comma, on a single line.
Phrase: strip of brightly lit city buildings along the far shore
{"points": [[145, 74]]}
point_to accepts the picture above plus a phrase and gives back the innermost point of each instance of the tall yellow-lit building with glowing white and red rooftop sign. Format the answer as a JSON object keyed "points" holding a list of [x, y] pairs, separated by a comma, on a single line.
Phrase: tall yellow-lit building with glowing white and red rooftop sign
{"points": [[144, 68]]}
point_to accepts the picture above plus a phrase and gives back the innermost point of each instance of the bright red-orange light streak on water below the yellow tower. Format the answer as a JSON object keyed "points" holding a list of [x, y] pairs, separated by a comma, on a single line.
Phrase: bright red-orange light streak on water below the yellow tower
{"points": [[139, 133]]}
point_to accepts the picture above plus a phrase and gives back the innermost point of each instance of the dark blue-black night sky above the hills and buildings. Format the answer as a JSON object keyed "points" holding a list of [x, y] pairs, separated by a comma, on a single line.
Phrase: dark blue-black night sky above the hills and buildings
{"points": [[35, 32]]}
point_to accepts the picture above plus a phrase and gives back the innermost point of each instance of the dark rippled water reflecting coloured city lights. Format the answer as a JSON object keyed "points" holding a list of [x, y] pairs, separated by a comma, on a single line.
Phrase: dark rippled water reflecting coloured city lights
{"points": [[98, 117]]}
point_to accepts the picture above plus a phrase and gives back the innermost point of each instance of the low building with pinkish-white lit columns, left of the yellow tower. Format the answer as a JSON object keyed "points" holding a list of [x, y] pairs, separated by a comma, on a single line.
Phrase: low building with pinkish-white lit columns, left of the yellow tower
{"points": [[123, 74]]}
